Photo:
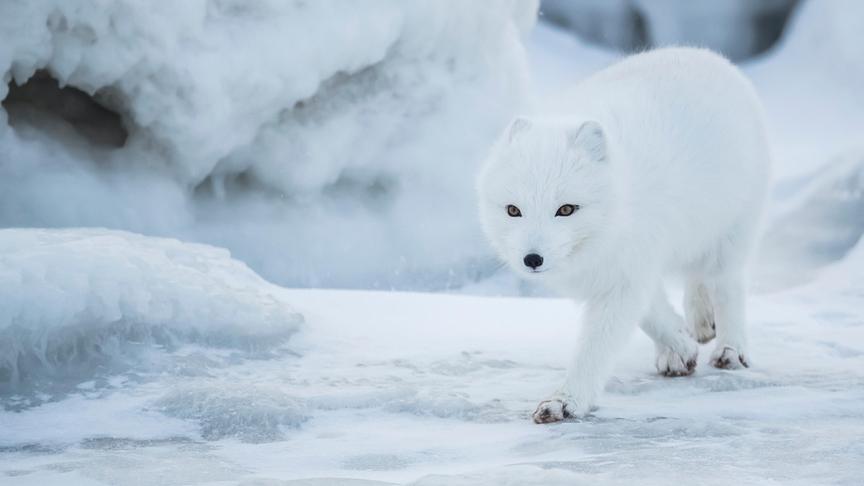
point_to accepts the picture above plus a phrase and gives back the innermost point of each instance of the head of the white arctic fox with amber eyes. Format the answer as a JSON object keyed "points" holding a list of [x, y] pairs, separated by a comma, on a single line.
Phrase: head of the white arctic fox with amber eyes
{"points": [[545, 194]]}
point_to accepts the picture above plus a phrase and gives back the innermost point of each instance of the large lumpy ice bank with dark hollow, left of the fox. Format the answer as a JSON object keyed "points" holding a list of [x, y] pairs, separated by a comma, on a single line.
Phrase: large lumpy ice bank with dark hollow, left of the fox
{"points": [[324, 143]]}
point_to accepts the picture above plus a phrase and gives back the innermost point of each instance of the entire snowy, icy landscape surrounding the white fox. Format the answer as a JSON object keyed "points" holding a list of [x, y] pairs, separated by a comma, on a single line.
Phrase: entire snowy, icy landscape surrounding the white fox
{"points": [[178, 187]]}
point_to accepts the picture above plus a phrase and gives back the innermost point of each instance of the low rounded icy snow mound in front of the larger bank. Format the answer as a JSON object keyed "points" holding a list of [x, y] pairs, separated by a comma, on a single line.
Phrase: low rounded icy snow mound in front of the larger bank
{"points": [[79, 301]]}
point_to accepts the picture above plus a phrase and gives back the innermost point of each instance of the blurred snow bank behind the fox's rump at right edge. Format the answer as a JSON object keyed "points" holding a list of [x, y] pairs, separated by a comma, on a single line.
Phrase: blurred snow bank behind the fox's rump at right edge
{"points": [[810, 85]]}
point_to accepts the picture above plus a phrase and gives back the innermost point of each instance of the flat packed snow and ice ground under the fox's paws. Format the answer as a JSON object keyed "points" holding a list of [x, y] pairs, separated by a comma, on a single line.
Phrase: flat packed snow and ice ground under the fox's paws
{"points": [[438, 389]]}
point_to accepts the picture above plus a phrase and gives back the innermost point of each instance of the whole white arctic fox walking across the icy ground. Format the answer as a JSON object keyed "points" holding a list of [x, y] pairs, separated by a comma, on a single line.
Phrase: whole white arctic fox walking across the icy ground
{"points": [[657, 165]]}
